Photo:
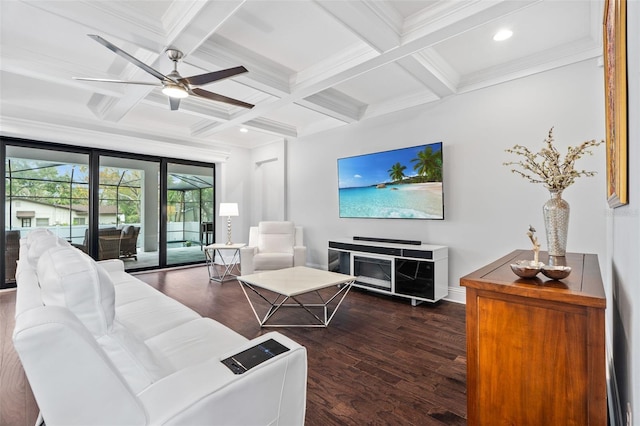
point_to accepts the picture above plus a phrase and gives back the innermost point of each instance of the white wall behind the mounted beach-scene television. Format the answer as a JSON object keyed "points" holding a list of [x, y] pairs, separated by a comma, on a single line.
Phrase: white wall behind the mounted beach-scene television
{"points": [[487, 208]]}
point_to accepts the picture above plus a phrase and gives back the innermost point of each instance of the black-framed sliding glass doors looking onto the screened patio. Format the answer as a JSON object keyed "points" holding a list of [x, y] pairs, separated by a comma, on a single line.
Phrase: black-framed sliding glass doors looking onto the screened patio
{"points": [[56, 190]]}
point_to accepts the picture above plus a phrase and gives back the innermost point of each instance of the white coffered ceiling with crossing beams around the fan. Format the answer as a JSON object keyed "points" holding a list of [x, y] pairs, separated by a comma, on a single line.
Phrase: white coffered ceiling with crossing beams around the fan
{"points": [[312, 65]]}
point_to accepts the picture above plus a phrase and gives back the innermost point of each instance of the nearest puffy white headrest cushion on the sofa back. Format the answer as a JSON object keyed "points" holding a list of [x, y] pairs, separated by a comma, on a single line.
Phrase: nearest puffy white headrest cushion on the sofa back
{"points": [[71, 279]]}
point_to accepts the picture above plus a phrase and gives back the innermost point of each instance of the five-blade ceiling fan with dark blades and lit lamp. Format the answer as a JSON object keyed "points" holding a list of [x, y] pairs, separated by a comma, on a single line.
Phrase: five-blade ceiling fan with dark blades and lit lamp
{"points": [[173, 84]]}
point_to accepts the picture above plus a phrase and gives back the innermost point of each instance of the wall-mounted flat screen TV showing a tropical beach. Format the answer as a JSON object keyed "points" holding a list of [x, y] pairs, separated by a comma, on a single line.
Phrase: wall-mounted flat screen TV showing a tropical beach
{"points": [[402, 183]]}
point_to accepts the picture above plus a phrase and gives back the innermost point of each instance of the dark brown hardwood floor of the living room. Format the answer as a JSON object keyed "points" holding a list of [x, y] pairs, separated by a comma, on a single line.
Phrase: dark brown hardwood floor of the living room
{"points": [[380, 361]]}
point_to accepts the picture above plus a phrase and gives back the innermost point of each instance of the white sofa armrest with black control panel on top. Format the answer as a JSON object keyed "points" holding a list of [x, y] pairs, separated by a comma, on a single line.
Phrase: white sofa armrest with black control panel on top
{"points": [[273, 392]]}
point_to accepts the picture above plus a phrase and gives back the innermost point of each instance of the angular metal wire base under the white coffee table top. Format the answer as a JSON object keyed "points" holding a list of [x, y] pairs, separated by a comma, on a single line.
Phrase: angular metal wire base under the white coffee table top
{"points": [[280, 301]]}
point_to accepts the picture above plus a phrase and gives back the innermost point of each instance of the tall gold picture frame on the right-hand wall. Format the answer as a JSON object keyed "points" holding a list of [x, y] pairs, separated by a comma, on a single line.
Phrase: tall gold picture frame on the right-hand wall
{"points": [[615, 86]]}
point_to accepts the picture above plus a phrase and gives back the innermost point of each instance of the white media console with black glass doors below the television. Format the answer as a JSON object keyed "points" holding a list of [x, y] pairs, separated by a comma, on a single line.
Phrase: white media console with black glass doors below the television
{"points": [[419, 272]]}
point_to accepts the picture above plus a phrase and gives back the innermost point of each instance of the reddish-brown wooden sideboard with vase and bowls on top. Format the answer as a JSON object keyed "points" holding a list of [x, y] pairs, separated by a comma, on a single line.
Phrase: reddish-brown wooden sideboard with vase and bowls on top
{"points": [[536, 347]]}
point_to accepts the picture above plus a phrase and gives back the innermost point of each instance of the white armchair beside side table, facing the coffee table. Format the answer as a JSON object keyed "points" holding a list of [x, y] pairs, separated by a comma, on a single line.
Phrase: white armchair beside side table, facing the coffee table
{"points": [[273, 245]]}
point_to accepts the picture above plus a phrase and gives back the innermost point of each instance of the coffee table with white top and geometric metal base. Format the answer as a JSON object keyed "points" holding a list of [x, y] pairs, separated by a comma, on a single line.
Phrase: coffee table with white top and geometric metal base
{"points": [[291, 283]]}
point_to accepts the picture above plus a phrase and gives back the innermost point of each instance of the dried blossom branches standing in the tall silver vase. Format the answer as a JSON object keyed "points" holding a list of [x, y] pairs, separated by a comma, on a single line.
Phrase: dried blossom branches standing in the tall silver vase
{"points": [[547, 167]]}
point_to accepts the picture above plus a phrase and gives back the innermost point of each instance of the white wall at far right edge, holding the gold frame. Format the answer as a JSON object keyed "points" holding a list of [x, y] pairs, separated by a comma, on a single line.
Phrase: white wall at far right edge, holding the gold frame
{"points": [[624, 337]]}
